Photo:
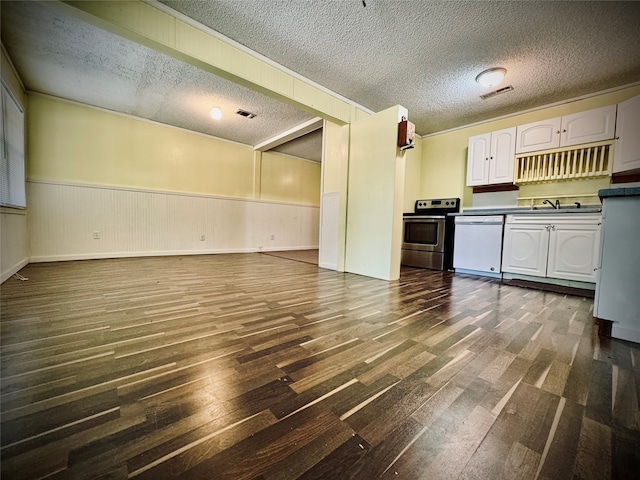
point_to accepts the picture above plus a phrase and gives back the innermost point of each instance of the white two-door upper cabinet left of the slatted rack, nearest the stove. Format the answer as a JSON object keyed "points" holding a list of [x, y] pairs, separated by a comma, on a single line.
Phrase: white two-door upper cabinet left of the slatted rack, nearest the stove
{"points": [[490, 158]]}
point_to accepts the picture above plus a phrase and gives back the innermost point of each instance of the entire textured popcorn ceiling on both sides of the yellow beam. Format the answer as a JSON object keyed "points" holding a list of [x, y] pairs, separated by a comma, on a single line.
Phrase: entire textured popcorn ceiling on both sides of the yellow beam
{"points": [[422, 55]]}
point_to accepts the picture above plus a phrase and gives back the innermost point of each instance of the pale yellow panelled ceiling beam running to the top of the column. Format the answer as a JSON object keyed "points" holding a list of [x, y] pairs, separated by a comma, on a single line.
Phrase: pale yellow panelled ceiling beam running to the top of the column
{"points": [[164, 30]]}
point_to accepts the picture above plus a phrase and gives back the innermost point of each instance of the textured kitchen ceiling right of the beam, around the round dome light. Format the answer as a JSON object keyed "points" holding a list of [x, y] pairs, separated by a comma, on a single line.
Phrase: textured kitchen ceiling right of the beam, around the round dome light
{"points": [[425, 55]]}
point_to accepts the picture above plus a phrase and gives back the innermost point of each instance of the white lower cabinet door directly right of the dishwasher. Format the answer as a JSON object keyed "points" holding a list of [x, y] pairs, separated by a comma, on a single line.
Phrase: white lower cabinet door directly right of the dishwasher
{"points": [[525, 249]]}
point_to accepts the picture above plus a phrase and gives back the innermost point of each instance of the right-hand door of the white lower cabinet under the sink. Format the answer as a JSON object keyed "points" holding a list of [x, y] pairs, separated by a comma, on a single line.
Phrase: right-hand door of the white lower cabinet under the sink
{"points": [[574, 251]]}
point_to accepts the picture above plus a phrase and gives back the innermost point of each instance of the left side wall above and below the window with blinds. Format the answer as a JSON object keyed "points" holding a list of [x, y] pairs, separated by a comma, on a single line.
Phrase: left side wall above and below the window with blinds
{"points": [[14, 241]]}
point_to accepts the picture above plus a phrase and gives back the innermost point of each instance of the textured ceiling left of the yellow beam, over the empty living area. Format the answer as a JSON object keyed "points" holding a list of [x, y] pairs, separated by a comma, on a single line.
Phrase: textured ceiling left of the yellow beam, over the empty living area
{"points": [[62, 56]]}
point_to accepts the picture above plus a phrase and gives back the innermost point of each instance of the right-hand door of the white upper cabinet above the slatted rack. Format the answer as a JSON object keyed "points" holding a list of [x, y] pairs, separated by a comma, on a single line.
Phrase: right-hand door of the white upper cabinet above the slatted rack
{"points": [[590, 126]]}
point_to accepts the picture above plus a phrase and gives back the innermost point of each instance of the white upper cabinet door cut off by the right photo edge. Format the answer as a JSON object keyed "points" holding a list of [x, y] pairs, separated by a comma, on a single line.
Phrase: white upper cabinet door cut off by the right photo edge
{"points": [[626, 155]]}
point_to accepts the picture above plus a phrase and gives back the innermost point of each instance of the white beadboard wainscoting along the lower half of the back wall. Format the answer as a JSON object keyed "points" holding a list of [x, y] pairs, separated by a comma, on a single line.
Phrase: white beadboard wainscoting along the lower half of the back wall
{"points": [[63, 219]]}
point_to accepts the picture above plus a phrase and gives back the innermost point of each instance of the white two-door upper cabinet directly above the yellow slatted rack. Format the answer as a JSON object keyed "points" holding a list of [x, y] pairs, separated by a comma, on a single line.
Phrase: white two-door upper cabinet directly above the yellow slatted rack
{"points": [[583, 127]]}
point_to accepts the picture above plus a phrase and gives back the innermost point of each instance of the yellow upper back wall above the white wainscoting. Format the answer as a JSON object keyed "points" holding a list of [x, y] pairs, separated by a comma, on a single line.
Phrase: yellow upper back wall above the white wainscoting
{"points": [[74, 143]]}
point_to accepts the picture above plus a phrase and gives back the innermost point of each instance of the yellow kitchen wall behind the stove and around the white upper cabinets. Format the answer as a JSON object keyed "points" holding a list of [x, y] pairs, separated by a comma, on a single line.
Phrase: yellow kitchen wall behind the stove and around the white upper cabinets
{"points": [[444, 156]]}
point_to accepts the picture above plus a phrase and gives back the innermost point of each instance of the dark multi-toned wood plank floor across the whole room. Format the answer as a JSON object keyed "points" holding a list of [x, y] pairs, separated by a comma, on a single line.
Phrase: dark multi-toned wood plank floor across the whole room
{"points": [[257, 367]]}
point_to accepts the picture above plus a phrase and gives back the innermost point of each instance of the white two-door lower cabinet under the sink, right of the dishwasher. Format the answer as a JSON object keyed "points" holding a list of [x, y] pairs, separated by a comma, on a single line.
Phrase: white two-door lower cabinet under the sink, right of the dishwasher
{"points": [[562, 246]]}
